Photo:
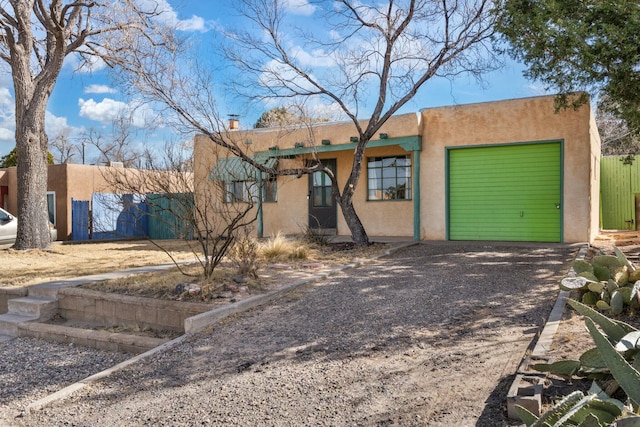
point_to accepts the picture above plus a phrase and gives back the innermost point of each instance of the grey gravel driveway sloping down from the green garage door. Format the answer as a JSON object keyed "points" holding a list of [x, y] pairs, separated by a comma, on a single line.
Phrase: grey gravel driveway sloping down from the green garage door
{"points": [[428, 336]]}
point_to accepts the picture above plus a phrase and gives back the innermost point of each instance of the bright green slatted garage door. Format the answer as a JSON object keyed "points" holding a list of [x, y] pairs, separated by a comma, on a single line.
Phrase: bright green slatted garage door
{"points": [[508, 193]]}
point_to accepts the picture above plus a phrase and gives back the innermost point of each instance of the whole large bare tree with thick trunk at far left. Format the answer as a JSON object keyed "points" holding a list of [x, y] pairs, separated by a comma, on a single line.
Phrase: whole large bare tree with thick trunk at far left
{"points": [[35, 38]]}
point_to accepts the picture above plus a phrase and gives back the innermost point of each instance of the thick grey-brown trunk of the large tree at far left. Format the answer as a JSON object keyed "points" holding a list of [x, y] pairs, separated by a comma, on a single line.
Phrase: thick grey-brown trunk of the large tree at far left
{"points": [[32, 149]]}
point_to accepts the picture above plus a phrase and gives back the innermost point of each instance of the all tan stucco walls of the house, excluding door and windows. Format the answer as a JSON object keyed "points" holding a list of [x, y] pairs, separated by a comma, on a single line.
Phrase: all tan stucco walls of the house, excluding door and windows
{"points": [[502, 122]]}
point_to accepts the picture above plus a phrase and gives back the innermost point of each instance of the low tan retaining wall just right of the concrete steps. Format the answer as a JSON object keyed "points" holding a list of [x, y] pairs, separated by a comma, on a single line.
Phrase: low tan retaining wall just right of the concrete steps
{"points": [[113, 309]]}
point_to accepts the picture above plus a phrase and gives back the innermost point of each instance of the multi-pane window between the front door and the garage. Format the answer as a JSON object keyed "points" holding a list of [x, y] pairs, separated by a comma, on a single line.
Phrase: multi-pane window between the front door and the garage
{"points": [[389, 178]]}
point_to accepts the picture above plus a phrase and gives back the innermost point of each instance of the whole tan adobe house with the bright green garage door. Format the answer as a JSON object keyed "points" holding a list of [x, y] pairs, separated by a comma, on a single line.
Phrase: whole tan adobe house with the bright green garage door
{"points": [[512, 170]]}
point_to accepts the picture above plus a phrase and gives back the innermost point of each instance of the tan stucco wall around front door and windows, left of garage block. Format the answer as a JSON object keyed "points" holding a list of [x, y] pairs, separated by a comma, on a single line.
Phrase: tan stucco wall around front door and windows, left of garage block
{"points": [[289, 214]]}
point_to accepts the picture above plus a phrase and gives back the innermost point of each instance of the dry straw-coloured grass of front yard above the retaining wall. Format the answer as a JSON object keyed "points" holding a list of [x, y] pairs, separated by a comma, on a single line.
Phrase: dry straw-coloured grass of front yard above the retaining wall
{"points": [[22, 268]]}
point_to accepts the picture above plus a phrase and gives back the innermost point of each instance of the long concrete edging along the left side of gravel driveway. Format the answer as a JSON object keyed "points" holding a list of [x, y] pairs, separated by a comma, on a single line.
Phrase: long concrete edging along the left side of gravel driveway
{"points": [[202, 321]]}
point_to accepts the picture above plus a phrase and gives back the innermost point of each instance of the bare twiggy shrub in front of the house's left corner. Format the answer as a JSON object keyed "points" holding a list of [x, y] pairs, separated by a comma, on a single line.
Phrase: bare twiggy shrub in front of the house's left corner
{"points": [[211, 224]]}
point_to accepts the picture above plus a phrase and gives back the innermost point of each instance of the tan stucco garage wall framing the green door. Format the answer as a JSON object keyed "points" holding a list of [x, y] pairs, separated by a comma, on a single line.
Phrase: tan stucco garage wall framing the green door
{"points": [[519, 120]]}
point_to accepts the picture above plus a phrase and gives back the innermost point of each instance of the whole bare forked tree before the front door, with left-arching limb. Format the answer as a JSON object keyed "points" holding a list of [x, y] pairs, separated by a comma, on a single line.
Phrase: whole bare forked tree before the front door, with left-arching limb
{"points": [[385, 52]]}
